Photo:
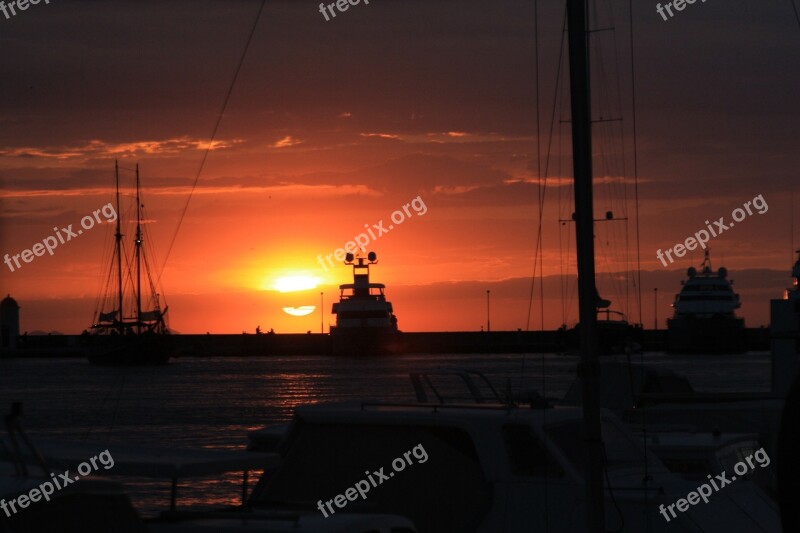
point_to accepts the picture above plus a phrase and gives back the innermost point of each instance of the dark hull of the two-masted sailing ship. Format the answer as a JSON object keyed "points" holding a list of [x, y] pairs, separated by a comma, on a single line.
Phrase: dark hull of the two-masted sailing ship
{"points": [[129, 350]]}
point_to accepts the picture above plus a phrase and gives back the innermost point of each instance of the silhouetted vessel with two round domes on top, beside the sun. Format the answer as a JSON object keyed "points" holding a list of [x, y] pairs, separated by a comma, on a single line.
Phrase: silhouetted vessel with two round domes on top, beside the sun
{"points": [[365, 320]]}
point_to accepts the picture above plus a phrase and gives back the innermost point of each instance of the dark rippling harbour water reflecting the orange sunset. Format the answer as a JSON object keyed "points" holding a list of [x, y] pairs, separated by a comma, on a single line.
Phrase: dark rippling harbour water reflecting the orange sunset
{"points": [[214, 402]]}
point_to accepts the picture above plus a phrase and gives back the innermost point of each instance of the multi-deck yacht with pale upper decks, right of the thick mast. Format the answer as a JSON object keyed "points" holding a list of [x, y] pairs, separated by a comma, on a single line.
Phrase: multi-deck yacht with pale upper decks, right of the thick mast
{"points": [[704, 320]]}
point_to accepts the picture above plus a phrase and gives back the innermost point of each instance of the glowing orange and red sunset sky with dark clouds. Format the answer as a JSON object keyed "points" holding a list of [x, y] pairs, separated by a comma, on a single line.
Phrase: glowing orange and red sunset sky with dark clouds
{"points": [[334, 125]]}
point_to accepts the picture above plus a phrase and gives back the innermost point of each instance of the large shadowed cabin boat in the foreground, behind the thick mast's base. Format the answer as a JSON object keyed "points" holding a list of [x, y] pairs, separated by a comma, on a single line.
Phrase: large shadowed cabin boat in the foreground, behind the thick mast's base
{"points": [[489, 468]]}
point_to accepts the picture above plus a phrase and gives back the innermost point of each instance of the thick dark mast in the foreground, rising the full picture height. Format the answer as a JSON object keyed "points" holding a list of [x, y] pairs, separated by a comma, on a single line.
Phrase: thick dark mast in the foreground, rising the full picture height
{"points": [[580, 96]]}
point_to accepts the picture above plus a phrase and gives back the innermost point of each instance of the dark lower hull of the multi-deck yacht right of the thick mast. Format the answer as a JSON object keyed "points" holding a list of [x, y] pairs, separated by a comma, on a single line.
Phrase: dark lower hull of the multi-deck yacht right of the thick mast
{"points": [[706, 335]]}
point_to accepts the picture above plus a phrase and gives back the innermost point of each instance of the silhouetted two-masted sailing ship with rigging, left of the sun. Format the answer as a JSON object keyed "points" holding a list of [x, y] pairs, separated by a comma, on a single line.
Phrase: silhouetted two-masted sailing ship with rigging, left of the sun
{"points": [[129, 329]]}
